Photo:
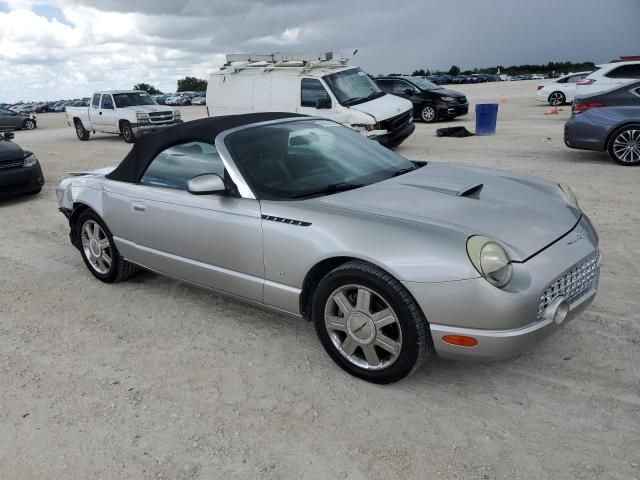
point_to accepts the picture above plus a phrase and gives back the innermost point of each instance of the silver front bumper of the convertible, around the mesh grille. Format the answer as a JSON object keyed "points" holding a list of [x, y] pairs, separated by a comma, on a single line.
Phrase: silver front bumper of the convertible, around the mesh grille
{"points": [[505, 321]]}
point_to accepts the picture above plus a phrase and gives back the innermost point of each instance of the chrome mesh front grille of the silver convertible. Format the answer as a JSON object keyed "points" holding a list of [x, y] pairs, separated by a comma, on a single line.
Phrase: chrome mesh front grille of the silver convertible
{"points": [[574, 283]]}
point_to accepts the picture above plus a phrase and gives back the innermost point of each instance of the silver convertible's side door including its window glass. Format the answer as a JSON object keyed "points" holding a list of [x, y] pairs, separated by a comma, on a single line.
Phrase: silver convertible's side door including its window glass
{"points": [[210, 240]]}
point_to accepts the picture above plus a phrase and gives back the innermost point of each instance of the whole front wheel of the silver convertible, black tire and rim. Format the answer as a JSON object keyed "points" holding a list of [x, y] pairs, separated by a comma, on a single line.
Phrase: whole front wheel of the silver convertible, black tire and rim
{"points": [[369, 324]]}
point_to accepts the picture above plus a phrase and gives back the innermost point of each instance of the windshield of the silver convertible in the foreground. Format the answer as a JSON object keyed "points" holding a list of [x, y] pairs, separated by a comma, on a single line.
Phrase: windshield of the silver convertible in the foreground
{"points": [[308, 158]]}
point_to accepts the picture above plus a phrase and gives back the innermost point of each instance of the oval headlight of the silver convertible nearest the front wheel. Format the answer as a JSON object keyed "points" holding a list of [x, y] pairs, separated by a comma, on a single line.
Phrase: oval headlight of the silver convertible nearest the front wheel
{"points": [[490, 259]]}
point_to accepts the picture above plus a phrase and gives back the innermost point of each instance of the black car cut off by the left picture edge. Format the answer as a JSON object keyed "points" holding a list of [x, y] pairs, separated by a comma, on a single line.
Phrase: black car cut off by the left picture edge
{"points": [[20, 170]]}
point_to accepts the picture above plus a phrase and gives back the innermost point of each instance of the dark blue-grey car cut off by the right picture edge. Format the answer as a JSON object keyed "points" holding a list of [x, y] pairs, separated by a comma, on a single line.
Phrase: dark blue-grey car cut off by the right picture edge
{"points": [[608, 122]]}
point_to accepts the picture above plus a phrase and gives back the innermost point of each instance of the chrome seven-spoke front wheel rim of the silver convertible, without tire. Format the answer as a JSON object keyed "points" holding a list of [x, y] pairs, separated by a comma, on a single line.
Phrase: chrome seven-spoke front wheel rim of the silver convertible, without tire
{"points": [[363, 327]]}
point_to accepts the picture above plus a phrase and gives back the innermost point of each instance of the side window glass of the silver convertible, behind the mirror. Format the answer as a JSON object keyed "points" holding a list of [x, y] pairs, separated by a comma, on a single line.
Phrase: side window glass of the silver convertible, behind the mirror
{"points": [[175, 166]]}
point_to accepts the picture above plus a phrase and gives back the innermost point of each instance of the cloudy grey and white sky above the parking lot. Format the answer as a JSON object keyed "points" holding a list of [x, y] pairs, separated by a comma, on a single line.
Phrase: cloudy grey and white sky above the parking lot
{"points": [[51, 49]]}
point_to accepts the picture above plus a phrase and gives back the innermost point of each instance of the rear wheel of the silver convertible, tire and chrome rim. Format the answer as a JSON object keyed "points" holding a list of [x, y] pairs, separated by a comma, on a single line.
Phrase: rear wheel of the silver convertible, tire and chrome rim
{"points": [[99, 252]]}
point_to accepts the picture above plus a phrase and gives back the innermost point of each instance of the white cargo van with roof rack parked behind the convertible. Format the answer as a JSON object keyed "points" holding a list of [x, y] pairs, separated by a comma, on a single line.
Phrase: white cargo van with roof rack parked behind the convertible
{"points": [[311, 84]]}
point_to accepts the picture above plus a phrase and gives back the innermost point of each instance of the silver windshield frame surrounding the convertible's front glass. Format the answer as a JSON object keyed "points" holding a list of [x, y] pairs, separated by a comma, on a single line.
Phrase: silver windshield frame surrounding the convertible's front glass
{"points": [[247, 190]]}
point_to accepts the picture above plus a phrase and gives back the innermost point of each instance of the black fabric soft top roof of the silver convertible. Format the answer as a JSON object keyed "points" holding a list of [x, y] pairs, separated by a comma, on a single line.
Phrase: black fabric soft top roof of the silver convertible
{"points": [[149, 146]]}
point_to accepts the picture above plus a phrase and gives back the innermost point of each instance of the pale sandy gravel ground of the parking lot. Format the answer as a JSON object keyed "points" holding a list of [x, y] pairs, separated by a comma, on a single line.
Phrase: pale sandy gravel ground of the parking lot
{"points": [[153, 379]]}
